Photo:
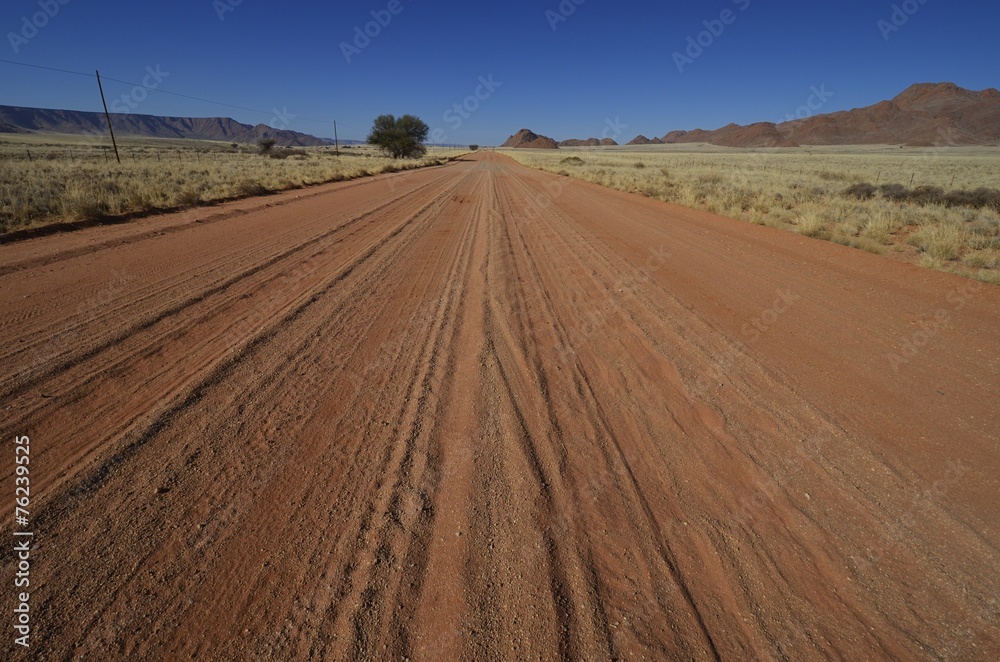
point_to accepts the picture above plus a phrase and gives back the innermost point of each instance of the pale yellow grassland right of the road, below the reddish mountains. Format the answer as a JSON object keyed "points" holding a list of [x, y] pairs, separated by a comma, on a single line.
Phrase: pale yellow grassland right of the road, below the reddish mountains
{"points": [[934, 206]]}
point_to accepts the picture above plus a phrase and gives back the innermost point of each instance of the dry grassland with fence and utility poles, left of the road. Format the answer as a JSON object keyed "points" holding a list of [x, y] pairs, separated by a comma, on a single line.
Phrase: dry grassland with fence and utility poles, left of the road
{"points": [[48, 178]]}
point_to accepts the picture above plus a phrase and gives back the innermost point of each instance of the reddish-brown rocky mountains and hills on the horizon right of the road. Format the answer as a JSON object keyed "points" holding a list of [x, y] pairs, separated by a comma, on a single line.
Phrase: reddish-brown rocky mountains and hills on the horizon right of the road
{"points": [[923, 114]]}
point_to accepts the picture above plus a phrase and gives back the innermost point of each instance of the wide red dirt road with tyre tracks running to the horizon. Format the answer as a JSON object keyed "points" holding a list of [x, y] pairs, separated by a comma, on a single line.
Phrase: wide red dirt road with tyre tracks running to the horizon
{"points": [[482, 412]]}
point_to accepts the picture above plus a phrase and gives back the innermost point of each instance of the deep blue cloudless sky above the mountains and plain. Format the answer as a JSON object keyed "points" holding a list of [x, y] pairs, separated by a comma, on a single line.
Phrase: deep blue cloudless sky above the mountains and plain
{"points": [[607, 60]]}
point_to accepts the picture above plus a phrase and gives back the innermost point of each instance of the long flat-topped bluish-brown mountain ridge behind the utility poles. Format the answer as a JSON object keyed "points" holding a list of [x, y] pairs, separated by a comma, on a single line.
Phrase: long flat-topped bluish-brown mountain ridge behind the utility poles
{"points": [[74, 122]]}
